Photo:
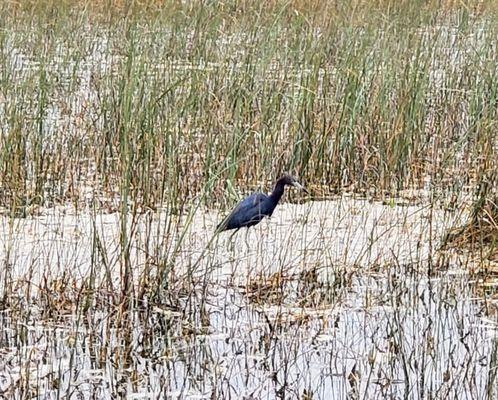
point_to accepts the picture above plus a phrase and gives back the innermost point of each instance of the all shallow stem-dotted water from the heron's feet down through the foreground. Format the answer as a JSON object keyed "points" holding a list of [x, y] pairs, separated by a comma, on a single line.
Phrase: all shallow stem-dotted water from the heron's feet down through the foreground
{"points": [[338, 299]]}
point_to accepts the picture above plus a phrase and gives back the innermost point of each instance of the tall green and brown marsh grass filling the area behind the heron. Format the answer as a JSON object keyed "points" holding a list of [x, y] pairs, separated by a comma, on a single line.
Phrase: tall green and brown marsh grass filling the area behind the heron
{"points": [[154, 103]]}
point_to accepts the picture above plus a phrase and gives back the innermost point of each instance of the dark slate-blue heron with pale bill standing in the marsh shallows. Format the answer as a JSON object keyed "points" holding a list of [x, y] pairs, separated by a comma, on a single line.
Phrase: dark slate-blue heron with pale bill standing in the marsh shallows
{"points": [[254, 208]]}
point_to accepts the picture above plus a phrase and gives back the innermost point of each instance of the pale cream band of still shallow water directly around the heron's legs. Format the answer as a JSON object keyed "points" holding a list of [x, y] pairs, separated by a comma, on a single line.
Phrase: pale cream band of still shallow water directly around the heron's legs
{"points": [[327, 234]]}
